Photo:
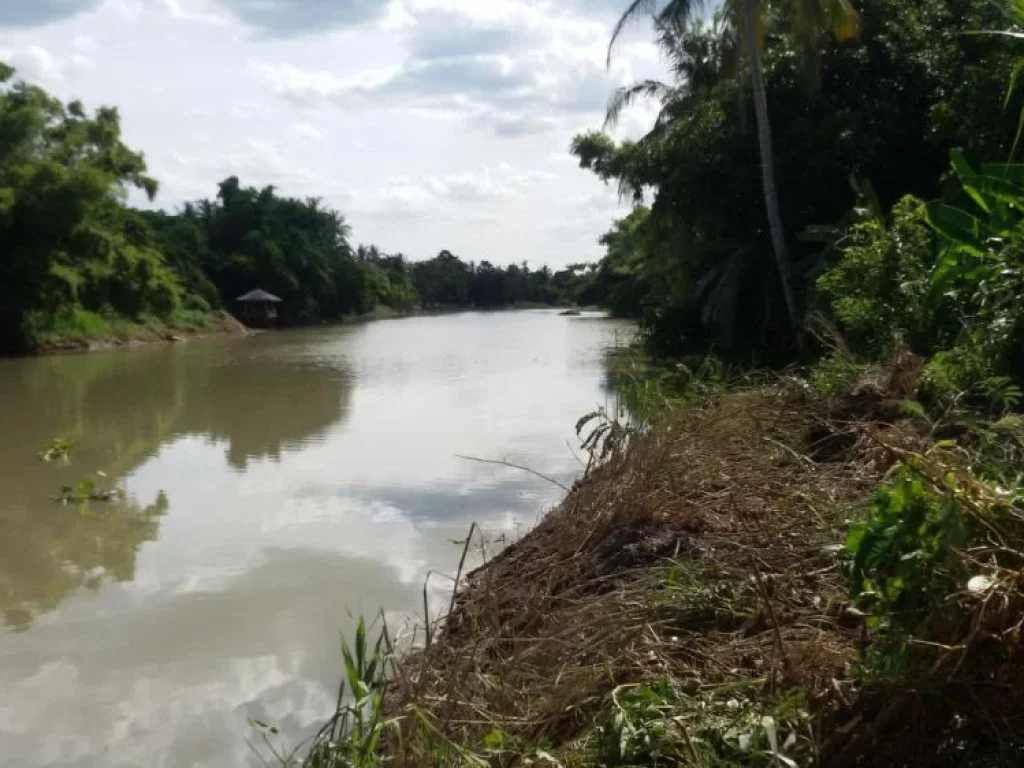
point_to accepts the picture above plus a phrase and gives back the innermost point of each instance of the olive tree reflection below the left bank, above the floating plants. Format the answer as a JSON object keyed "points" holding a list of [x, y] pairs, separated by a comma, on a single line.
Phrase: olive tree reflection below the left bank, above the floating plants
{"points": [[133, 403]]}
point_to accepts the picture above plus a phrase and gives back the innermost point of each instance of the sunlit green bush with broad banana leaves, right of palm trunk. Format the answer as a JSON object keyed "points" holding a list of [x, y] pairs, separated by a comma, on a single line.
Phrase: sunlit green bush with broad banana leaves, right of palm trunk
{"points": [[944, 279]]}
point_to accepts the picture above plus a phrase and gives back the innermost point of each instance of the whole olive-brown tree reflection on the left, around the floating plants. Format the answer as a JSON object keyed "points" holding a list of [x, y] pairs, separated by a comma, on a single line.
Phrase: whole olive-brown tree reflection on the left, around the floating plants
{"points": [[118, 409]]}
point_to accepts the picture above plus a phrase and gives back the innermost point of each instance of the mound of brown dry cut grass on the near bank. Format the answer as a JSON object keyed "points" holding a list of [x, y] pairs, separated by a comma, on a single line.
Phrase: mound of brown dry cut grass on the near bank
{"points": [[704, 553]]}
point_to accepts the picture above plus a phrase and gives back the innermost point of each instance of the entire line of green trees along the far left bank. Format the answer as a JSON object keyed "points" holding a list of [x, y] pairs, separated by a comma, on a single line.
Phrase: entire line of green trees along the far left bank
{"points": [[75, 259]]}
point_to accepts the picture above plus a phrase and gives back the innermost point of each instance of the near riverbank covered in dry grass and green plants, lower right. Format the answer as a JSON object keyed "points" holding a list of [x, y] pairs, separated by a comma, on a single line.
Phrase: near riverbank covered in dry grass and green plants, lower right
{"points": [[764, 577]]}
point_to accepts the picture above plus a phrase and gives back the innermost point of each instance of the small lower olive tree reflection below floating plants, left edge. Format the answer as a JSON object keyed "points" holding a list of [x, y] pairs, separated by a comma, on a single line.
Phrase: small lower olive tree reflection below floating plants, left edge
{"points": [[50, 554]]}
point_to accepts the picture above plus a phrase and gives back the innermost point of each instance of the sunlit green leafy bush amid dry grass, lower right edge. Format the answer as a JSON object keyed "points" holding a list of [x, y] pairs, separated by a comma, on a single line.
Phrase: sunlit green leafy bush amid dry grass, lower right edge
{"points": [[932, 543]]}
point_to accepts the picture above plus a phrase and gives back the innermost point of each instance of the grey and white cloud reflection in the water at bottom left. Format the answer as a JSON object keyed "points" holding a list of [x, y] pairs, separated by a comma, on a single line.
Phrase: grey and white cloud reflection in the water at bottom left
{"points": [[266, 647]]}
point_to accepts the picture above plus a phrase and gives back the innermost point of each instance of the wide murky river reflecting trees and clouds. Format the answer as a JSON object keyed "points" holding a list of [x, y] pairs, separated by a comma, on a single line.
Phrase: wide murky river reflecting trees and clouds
{"points": [[278, 486]]}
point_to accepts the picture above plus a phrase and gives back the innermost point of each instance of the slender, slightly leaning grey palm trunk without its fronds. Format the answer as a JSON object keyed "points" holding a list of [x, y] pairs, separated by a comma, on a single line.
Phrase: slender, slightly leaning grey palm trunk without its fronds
{"points": [[769, 170]]}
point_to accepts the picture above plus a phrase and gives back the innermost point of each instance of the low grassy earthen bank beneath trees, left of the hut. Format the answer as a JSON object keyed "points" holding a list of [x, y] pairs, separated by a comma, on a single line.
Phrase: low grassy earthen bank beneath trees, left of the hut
{"points": [[86, 332]]}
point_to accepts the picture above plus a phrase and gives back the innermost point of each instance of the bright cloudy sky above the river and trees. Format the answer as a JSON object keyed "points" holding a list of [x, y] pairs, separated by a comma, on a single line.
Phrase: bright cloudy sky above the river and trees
{"points": [[430, 124]]}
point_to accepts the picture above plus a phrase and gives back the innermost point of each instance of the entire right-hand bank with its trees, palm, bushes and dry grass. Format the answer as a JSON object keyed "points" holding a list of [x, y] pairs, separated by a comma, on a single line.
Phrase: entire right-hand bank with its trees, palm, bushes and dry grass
{"points": [[818, 564]]}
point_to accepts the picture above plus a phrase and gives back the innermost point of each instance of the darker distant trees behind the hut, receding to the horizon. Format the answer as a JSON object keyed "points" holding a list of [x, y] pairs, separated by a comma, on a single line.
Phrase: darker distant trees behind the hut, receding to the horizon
{"points": [[301, 251]]}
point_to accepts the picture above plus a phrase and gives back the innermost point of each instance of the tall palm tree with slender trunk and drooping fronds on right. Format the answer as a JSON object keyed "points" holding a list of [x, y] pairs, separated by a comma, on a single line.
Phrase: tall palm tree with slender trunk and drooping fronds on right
{"points": [[812, 18]]}
